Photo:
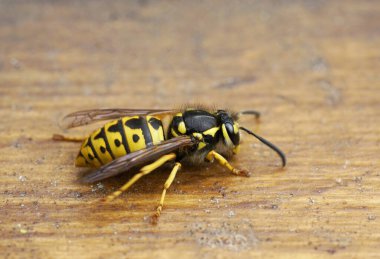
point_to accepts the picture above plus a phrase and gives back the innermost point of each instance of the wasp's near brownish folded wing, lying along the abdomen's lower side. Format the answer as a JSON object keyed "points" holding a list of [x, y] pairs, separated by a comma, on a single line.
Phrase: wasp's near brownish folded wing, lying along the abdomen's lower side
{"points": [[141, 157]]}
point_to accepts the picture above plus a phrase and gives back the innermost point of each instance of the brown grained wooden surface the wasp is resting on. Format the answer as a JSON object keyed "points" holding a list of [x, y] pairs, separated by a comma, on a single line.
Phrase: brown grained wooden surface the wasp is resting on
{"points": [[311, 68]]}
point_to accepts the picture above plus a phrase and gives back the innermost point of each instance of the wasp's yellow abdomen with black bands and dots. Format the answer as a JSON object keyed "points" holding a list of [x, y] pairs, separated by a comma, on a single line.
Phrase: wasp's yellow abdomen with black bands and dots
{"points": [[118, 138]]}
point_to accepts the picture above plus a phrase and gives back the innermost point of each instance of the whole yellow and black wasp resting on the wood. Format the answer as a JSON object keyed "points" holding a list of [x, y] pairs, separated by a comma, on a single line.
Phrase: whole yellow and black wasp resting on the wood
{"points": [[149, 138]]}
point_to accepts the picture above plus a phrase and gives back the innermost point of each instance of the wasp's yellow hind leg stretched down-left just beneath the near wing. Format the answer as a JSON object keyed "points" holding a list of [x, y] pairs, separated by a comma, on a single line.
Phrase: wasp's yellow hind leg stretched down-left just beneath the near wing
{"points": [[143, 171]]}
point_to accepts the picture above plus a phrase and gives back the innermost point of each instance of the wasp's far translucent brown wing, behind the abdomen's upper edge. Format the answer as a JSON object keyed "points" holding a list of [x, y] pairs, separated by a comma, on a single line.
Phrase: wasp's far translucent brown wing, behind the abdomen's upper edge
{"points": [[81, 118]]}
